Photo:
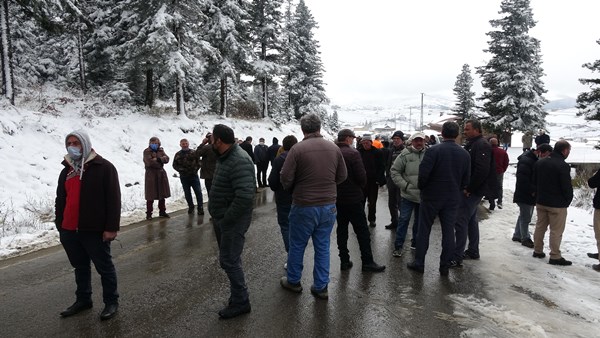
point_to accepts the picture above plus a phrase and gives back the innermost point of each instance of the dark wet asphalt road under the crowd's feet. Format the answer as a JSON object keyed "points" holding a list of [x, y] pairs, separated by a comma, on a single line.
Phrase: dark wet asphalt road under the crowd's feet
{"points": [[171, 285]]}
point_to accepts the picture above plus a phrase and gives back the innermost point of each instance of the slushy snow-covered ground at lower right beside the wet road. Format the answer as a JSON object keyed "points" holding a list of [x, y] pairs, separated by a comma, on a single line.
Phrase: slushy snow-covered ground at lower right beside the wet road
{"points": [[529, 297]]}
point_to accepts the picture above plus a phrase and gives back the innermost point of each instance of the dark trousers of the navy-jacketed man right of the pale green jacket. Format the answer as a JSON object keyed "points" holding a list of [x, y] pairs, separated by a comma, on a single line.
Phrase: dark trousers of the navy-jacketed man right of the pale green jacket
{"points": [[447, 210]]}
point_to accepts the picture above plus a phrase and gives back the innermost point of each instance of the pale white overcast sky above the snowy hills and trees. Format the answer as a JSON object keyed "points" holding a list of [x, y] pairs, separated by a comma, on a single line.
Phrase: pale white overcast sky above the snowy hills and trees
{"points": [[381, 51]]}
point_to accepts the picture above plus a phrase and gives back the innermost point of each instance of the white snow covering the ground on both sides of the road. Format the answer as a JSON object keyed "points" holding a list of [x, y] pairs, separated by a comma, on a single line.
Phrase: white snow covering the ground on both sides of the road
{"points": [[527, 297]]}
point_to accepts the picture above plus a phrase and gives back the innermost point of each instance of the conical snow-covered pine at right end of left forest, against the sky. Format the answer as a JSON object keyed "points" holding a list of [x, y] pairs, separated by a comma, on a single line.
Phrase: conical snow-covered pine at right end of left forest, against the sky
{"points": [[305, 77]]}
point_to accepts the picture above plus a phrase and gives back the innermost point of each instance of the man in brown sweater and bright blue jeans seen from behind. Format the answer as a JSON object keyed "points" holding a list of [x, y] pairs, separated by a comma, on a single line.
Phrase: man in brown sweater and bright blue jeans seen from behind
{"points": [[312, 171]]}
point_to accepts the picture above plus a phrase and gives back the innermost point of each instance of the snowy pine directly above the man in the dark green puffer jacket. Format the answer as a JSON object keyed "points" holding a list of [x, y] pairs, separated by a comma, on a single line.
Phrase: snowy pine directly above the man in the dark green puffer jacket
{"points": [[227, 30]]}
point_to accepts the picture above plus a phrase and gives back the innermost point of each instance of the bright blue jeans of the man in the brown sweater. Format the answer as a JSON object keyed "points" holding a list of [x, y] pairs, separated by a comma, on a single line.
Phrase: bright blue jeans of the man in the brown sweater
{"points": [[307, 222]]}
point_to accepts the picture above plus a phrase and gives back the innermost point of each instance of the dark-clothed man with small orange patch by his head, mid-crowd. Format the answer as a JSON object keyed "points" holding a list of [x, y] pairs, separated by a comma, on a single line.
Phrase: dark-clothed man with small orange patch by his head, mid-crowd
{"points": [[373, 161]]}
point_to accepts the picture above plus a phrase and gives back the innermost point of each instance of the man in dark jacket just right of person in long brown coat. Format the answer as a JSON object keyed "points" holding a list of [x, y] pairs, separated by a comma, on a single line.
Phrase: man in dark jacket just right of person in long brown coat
{"points": [[187, 163]]}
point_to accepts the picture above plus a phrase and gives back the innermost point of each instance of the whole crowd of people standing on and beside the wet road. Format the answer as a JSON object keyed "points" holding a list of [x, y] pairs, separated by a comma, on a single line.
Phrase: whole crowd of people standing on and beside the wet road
{"points": [[317, 183]]}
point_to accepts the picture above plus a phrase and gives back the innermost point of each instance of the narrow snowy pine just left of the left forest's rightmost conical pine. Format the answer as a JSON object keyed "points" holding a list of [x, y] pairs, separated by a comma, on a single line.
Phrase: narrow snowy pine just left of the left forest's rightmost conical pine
{"points": [[265, 23]]}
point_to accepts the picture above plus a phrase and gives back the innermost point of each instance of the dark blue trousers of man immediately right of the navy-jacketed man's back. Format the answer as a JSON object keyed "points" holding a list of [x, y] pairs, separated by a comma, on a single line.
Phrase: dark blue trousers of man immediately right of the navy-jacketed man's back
{"points": [[467, 226]]}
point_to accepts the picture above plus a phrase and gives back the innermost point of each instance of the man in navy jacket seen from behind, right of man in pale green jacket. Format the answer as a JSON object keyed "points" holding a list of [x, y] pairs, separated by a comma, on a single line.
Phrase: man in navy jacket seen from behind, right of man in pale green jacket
{"points": [[443, 174]]}
